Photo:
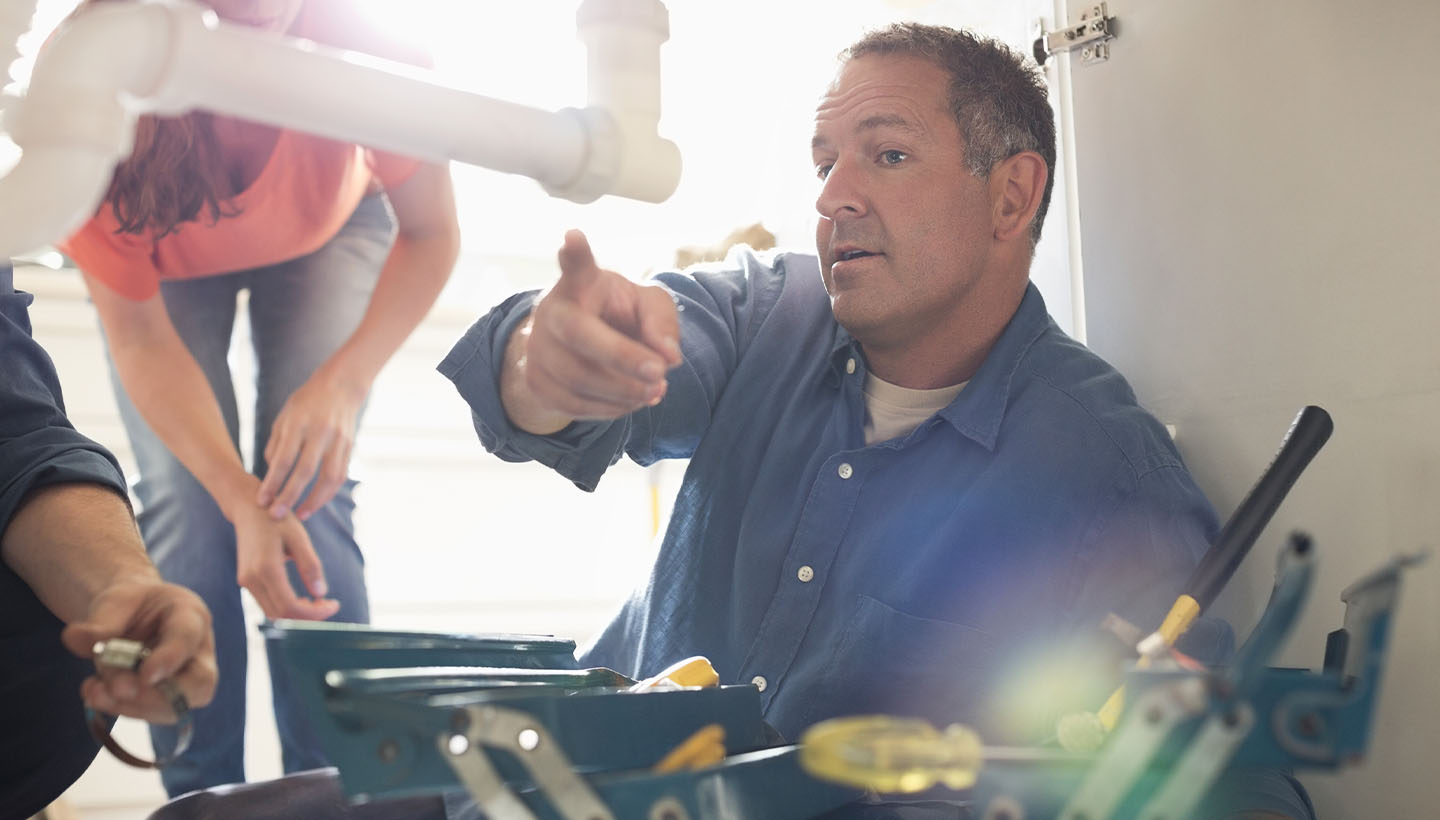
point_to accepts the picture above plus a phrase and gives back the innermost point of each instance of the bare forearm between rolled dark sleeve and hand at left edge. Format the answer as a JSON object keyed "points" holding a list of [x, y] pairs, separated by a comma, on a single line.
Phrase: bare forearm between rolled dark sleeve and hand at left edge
{"points": [[71, 541]]}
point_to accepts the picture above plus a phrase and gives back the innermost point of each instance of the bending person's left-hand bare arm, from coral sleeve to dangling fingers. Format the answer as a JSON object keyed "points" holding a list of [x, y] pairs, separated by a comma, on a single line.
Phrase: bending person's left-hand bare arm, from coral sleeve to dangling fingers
{"points": [[172, 393]]}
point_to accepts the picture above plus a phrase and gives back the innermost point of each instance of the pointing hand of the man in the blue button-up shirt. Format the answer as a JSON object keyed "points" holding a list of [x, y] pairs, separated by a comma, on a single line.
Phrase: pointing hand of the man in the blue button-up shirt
{"points": [[597, 347]]}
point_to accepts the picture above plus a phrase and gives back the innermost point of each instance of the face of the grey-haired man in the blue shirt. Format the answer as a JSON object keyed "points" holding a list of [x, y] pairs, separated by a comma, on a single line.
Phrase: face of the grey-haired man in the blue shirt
{"points": [[905, 230]]}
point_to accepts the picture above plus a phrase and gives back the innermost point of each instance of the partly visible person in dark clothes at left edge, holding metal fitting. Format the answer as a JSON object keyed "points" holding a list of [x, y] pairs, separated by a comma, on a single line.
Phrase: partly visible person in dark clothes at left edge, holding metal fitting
{"points": [[73, 556]]}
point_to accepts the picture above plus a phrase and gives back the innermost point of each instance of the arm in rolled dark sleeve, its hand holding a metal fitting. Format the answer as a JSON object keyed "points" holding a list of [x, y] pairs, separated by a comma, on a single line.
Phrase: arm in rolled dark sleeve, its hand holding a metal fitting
{"points": [[70, 541]]}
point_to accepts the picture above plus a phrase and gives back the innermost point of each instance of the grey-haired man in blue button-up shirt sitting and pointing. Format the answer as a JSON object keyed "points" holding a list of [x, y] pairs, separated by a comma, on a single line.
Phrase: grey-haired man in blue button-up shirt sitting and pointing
{"points": [[908, 491]]}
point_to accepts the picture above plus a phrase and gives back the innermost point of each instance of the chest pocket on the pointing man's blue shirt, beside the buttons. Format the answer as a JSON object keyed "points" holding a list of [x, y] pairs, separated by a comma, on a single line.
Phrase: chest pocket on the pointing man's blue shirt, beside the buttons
{"points": [[896, 664]]}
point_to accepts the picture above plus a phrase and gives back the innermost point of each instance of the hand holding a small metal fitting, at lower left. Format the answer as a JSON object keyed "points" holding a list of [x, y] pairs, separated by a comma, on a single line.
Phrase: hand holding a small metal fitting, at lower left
{"points": [[168, 619]]}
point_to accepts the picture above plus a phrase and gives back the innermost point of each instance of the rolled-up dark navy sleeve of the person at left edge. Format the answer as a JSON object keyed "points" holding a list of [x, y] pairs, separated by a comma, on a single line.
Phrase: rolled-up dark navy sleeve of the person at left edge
{"points": [[38, 445]]}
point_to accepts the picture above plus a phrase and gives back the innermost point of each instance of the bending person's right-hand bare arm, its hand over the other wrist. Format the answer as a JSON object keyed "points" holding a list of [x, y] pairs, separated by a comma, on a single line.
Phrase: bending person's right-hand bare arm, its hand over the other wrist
{"points": [[315, 433]]}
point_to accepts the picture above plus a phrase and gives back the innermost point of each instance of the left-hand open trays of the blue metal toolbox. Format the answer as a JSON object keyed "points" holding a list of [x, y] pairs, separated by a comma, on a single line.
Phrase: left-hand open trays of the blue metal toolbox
{"points": [[529, 737]]}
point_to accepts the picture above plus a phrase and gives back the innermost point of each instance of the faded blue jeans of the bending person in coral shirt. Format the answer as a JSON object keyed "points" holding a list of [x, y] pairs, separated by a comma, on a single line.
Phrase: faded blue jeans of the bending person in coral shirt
{"points": [[302, 312]]}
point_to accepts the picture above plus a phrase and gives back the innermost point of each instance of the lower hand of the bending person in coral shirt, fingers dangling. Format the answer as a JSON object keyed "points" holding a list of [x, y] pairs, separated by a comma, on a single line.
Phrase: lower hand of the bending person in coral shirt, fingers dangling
{"points": [[263, 547]]}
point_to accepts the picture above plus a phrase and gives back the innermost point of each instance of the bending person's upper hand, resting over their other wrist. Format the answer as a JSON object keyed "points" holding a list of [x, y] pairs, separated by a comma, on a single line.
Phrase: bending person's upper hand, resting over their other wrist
{"points": [[312, 440]]}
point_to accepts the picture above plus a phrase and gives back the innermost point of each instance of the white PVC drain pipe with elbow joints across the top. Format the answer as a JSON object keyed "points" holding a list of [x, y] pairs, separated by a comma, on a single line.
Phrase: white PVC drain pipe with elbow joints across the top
{"points": [[117, 61]]}
